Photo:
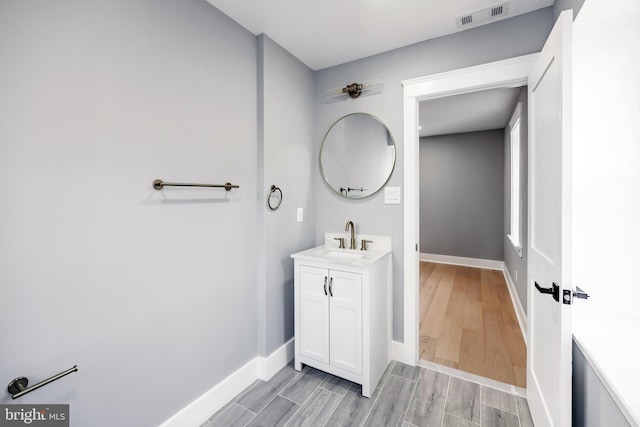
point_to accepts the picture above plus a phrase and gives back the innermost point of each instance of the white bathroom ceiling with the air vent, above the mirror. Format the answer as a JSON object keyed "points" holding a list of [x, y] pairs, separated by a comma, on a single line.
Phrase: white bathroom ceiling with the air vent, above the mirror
{"points": [[324, 33]]}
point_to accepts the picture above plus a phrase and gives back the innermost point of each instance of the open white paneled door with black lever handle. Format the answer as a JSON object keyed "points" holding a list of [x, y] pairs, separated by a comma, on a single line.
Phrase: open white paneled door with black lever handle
{"points": [[549, 320]]}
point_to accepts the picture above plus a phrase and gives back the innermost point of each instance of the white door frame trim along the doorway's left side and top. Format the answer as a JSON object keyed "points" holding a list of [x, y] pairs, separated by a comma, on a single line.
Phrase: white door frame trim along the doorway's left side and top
{"points": [[508, 73]]}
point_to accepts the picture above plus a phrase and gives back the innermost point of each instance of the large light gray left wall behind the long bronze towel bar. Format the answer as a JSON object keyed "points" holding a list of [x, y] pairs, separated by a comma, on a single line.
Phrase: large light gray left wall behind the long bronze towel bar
{"points": [[152, 294]]}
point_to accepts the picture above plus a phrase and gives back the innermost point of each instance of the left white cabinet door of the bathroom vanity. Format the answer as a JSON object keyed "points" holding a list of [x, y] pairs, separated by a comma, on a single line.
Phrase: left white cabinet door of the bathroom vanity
{"points": [[314, 313]]}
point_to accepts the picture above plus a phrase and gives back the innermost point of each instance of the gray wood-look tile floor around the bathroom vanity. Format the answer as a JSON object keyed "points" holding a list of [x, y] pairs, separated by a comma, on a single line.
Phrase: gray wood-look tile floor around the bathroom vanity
{"points": [[406, 396]]}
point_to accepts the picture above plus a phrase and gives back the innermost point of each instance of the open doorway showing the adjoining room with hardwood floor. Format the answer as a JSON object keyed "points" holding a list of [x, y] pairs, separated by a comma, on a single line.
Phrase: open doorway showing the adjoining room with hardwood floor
{"points": [[467, 319]]}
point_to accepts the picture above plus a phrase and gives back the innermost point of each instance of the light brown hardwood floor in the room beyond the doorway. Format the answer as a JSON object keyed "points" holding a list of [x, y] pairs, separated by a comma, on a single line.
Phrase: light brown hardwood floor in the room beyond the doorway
{"points": [[467, 322]]}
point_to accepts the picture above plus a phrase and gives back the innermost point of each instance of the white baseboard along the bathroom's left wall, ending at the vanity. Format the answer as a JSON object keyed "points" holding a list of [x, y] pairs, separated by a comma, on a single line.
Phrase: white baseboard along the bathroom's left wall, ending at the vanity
{"points": [[201, 409]]}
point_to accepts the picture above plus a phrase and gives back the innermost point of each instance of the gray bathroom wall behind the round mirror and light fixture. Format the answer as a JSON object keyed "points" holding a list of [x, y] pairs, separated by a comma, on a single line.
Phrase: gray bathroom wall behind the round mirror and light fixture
{"points": [[512, 37]]}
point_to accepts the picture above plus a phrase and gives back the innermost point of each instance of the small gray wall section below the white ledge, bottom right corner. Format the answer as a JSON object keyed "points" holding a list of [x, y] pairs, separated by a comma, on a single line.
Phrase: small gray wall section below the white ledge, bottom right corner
{"points": [[593, 406]]}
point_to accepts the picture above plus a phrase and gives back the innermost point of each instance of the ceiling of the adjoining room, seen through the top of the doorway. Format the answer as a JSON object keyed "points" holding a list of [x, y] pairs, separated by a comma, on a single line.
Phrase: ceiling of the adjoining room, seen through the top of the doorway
{"points": [[469, 112]]}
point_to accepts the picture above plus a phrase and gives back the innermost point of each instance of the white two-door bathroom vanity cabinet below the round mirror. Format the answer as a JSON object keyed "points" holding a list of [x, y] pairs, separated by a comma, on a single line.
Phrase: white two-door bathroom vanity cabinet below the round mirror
{"points": [[341, 310]]}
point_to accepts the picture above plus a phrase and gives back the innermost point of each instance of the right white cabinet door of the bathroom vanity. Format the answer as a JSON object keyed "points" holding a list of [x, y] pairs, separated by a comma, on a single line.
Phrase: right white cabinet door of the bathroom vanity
{"points": [[346, 320]]}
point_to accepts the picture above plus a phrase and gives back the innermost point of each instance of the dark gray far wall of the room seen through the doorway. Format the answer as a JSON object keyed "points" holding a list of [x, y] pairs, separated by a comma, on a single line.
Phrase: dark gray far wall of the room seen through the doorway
{"points": [[462, 194]]}
